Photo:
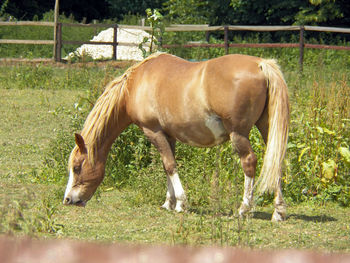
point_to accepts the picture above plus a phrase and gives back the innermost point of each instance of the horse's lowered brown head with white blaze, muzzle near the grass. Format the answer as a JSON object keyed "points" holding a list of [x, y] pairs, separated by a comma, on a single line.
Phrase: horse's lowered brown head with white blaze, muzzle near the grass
{"points": [[84, 177]]}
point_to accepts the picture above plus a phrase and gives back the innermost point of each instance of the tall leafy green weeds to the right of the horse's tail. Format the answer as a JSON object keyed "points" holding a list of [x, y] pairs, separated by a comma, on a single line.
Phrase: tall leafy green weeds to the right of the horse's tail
{"points": [[319, 142]]}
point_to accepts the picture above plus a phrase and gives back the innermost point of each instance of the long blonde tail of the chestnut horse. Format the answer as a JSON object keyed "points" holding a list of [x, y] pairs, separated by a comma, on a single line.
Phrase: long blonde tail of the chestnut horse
{"points": [[278, 111]]}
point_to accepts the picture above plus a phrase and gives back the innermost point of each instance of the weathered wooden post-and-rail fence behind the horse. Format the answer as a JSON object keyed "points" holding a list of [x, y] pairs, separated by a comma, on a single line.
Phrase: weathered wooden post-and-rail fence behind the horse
{"points": [[180, 28]]}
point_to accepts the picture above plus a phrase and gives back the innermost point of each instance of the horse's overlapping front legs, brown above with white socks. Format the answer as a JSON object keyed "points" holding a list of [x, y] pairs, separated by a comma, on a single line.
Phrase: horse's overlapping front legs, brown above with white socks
{"points": [[175, 197]]}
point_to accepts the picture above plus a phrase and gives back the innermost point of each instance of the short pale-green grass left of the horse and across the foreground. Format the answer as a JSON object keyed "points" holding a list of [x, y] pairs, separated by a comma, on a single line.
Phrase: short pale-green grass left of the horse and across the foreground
{"points": [[31, 118]]}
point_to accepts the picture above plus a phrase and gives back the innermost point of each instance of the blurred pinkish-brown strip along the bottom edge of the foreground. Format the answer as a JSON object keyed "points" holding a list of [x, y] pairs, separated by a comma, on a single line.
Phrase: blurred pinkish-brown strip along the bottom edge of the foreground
{"points": [[29, 250]]}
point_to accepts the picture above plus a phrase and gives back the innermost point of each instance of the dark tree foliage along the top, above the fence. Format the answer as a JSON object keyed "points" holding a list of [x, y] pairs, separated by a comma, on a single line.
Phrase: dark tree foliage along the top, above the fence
{"points": [[214, 12]]}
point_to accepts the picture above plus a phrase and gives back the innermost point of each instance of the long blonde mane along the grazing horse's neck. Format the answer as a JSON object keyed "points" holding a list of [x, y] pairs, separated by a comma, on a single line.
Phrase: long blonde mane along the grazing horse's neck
{"points": [[106, 109]]}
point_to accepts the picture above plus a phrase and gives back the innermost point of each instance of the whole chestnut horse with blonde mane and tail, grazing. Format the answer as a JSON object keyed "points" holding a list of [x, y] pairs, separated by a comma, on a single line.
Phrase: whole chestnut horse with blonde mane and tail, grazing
{"points": [[202, 104]]}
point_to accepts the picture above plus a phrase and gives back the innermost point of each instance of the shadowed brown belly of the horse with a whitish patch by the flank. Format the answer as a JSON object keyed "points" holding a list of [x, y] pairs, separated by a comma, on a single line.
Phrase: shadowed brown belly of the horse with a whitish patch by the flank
{"points": [[201, 132]]}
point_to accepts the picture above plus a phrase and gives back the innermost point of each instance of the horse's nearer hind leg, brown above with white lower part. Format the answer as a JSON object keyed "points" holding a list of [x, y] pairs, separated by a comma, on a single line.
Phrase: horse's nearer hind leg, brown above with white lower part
{"points": [[248, 162]]}
